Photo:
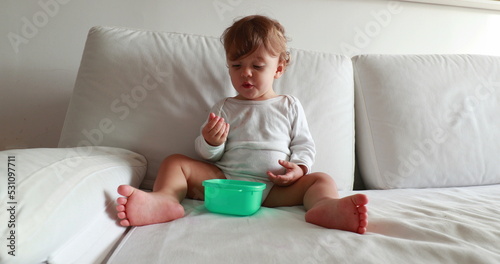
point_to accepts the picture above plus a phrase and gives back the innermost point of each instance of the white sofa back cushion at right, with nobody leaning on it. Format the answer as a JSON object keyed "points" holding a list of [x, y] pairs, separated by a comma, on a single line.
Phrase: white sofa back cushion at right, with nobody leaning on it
{"points": [[427, 120]]}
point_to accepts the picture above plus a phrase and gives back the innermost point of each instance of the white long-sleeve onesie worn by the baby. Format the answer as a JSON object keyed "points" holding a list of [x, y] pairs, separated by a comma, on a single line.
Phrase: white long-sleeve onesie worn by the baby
{"points": [[261, 133]]}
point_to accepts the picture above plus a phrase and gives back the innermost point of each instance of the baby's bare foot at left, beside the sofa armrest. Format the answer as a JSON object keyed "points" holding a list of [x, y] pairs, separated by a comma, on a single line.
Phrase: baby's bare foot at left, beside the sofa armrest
{"points": [[140, 208]]}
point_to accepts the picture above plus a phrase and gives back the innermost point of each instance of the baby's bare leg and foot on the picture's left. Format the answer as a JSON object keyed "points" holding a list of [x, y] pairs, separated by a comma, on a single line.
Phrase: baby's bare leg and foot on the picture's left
{"points": [[179, 176]]}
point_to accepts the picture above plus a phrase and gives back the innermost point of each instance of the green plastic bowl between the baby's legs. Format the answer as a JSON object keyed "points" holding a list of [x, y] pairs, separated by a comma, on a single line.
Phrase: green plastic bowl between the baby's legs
{"points": [[233, 197]]}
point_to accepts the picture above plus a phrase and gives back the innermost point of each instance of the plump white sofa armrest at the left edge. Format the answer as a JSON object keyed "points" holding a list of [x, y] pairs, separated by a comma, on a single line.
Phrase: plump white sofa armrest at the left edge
{"points": [[58, 205]]}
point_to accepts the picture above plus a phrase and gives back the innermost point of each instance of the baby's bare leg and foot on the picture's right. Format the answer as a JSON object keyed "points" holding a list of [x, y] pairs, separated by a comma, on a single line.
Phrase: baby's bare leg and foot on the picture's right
{"points": [[318, 193]]}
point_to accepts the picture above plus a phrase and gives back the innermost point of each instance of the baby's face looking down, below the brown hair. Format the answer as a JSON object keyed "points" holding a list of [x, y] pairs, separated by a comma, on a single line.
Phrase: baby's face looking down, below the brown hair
{"points": [[253, 76]]}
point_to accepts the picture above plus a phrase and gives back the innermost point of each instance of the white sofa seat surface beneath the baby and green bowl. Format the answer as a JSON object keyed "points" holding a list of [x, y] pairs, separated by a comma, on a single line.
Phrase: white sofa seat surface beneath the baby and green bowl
{"points": [[447, 225]]}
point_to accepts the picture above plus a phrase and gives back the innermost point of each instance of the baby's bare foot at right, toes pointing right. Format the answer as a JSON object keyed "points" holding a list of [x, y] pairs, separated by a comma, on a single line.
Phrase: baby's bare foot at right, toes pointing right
{"points": [[349, 213]]}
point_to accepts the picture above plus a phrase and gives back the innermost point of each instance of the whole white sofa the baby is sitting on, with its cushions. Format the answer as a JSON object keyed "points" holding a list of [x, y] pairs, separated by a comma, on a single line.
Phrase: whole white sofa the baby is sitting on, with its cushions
{"points": [[423, 128]]}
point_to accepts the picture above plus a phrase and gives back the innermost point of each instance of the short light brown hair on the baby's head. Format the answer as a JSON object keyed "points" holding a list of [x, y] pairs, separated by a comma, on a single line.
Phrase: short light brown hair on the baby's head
{"points": [[249, 33]]}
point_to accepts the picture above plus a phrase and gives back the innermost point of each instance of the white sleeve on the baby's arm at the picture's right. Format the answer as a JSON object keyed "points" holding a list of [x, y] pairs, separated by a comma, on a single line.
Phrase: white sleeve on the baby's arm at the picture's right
{"points": [[302, 145]]}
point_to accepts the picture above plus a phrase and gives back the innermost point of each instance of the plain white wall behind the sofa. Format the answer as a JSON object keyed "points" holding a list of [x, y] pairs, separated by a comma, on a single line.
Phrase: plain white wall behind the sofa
{"points": [[41, 42]]}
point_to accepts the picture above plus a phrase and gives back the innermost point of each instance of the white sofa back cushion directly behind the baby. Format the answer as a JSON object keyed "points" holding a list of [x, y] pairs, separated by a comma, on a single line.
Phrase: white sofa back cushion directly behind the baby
{"points": [[150, 92]]}
